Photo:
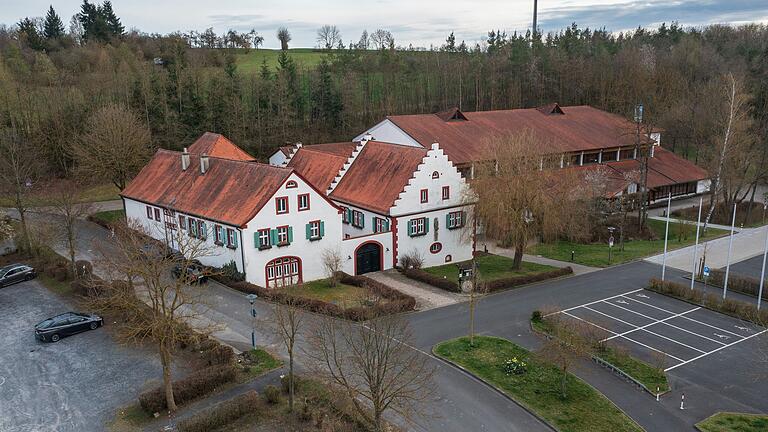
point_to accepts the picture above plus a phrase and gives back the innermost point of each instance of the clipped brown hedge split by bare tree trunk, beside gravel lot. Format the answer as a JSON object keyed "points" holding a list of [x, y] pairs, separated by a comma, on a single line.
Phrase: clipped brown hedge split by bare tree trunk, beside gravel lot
{"points": [[194, 385]]}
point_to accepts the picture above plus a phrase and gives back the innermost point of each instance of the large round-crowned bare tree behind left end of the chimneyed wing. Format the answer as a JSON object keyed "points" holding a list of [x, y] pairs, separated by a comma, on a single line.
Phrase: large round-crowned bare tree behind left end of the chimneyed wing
{"points": [[115, 148]]}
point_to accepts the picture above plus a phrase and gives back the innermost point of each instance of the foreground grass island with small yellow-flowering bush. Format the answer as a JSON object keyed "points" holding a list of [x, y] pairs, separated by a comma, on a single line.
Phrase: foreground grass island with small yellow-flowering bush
{"points": [[585, 409]]}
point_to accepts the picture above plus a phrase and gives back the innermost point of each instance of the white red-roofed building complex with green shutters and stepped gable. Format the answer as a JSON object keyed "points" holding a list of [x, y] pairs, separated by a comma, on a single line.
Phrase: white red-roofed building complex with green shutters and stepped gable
{"points": [[369, 202]]}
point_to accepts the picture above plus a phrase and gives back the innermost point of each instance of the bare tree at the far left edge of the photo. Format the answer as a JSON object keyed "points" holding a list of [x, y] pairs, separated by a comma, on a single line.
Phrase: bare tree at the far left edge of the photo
{"points": [[19, 171]]}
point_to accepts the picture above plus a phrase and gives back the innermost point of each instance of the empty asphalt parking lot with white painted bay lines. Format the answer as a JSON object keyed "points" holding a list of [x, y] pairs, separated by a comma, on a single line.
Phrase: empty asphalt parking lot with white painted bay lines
{"points": [[650, 325]]}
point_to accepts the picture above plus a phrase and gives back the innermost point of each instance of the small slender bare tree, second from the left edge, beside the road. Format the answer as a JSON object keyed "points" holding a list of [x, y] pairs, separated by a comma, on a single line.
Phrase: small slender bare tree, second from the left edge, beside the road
{"points": [[65, 197]]}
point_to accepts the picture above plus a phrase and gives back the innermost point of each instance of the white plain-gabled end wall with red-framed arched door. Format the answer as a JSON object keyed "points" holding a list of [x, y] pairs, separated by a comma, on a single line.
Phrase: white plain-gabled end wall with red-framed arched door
{"points": [[309, 252]]}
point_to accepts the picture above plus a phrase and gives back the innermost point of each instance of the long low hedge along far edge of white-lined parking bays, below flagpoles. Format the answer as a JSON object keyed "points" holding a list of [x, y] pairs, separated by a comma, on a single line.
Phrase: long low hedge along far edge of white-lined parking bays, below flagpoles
{"points": [[711, 300]]}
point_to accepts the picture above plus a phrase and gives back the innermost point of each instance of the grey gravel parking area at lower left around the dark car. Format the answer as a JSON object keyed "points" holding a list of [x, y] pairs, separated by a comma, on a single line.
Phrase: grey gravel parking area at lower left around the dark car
{"points": [[73, 385]]}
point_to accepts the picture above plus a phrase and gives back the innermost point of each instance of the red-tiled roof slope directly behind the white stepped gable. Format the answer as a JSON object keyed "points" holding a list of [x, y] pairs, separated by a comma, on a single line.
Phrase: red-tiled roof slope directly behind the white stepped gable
{"points": [[378, 175]]}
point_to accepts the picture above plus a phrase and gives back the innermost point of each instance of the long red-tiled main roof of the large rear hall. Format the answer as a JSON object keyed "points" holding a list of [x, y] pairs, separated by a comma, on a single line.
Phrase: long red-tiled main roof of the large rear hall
{"points": [[577, 128]]}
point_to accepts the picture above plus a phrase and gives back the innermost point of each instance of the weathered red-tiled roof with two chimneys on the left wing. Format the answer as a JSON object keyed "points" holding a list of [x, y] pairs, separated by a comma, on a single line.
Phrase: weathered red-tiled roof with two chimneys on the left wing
{"points": [[230, 191]]}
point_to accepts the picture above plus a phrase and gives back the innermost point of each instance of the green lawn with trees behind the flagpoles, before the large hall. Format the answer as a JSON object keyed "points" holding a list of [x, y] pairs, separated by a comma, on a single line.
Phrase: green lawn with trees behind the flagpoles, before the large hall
{"points": [[596, 254]]}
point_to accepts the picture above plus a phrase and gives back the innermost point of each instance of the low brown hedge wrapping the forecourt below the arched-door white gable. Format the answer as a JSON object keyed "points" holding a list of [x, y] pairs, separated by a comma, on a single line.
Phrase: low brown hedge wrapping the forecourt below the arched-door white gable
{"points": [[398, 301]]}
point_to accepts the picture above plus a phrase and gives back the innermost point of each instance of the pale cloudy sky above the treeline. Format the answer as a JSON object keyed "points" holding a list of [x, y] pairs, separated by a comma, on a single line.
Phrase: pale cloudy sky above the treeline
{"points": [[418, 22]]}
